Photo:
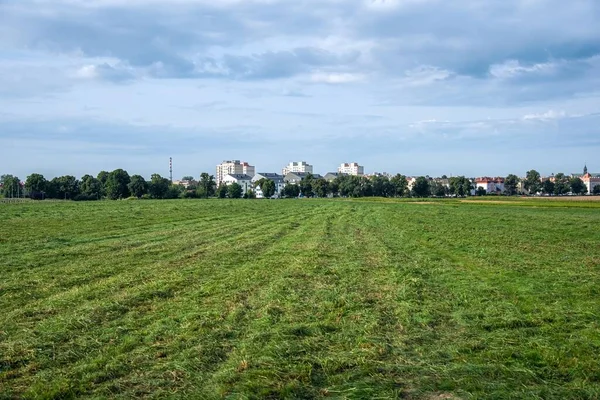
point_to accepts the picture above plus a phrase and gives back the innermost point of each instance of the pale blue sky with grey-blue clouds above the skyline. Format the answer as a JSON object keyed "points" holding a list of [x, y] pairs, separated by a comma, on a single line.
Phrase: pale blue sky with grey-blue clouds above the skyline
{"points": [[419, 87]]}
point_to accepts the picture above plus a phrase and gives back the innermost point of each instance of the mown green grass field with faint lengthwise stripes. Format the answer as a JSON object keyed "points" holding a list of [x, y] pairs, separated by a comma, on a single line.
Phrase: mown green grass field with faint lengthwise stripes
{"points": [[300, 299]]}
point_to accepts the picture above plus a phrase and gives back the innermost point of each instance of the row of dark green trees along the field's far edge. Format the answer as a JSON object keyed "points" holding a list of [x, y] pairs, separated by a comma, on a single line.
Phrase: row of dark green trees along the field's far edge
{"points": [[118, 184]]}
